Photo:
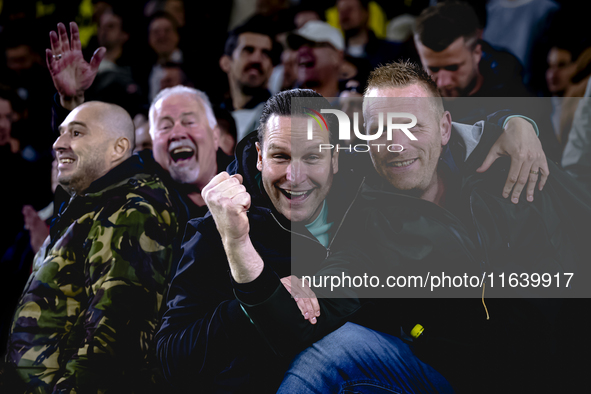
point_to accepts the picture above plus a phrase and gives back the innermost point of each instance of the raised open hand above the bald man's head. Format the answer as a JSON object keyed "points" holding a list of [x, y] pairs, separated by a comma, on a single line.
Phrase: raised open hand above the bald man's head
{"points": [[71, 74]]}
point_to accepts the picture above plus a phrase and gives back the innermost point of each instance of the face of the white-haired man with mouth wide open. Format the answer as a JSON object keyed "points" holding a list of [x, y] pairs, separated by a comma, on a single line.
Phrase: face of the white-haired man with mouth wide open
{"points": [[184, 144]]}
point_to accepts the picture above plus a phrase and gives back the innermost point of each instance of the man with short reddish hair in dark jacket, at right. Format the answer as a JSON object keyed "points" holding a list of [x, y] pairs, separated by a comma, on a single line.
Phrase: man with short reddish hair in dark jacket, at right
{"points": [[424, 214]]}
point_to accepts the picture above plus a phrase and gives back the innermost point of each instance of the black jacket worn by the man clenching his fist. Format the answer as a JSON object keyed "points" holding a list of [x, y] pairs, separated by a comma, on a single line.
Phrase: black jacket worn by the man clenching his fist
{"points": [[206, 340]]}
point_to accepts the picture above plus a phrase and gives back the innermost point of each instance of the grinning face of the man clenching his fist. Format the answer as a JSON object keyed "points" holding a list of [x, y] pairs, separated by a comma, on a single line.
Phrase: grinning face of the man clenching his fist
{"points": [[296, 176]]}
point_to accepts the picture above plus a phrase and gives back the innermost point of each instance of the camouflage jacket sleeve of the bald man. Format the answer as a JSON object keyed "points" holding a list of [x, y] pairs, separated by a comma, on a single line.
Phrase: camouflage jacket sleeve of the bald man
{"points": [[127, 261]]}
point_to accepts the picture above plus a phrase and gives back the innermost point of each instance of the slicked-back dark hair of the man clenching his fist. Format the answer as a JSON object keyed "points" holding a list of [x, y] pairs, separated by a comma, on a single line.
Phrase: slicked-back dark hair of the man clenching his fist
{"points": [[280, 105]]}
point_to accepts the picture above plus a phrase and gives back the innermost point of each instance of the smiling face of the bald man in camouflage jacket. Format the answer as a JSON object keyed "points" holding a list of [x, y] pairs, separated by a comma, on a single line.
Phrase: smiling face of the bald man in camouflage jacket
{"points": [[82, 149]]}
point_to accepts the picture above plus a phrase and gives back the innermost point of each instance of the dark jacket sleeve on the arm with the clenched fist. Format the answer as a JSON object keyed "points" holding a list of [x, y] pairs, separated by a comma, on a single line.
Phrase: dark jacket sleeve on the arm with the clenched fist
{"points": [[204, 328]]}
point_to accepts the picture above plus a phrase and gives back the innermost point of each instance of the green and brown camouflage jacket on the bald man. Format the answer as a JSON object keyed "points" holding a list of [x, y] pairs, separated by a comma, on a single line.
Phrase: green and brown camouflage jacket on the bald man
{"points": [[86, 319]]}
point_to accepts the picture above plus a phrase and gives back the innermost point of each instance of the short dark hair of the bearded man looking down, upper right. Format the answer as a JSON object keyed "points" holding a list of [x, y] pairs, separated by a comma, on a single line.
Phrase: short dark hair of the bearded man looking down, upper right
{"points": [[440, 25]]}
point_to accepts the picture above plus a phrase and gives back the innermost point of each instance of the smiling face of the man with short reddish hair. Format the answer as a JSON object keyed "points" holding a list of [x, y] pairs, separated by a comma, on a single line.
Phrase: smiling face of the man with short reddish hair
{"points": [[414, 170]]}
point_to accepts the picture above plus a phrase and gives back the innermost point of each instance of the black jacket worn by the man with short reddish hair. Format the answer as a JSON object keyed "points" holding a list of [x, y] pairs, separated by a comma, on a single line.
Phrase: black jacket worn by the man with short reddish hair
{"points": [[524, 343]]}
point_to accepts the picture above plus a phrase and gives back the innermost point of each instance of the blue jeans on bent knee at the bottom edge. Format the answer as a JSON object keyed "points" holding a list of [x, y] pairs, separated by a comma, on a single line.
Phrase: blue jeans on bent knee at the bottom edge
{"points": [[355, 359]]}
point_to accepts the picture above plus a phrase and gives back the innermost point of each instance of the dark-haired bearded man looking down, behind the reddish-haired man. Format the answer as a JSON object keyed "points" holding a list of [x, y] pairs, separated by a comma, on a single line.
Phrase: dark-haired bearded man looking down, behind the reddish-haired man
{"points": [[447, 39]]}
